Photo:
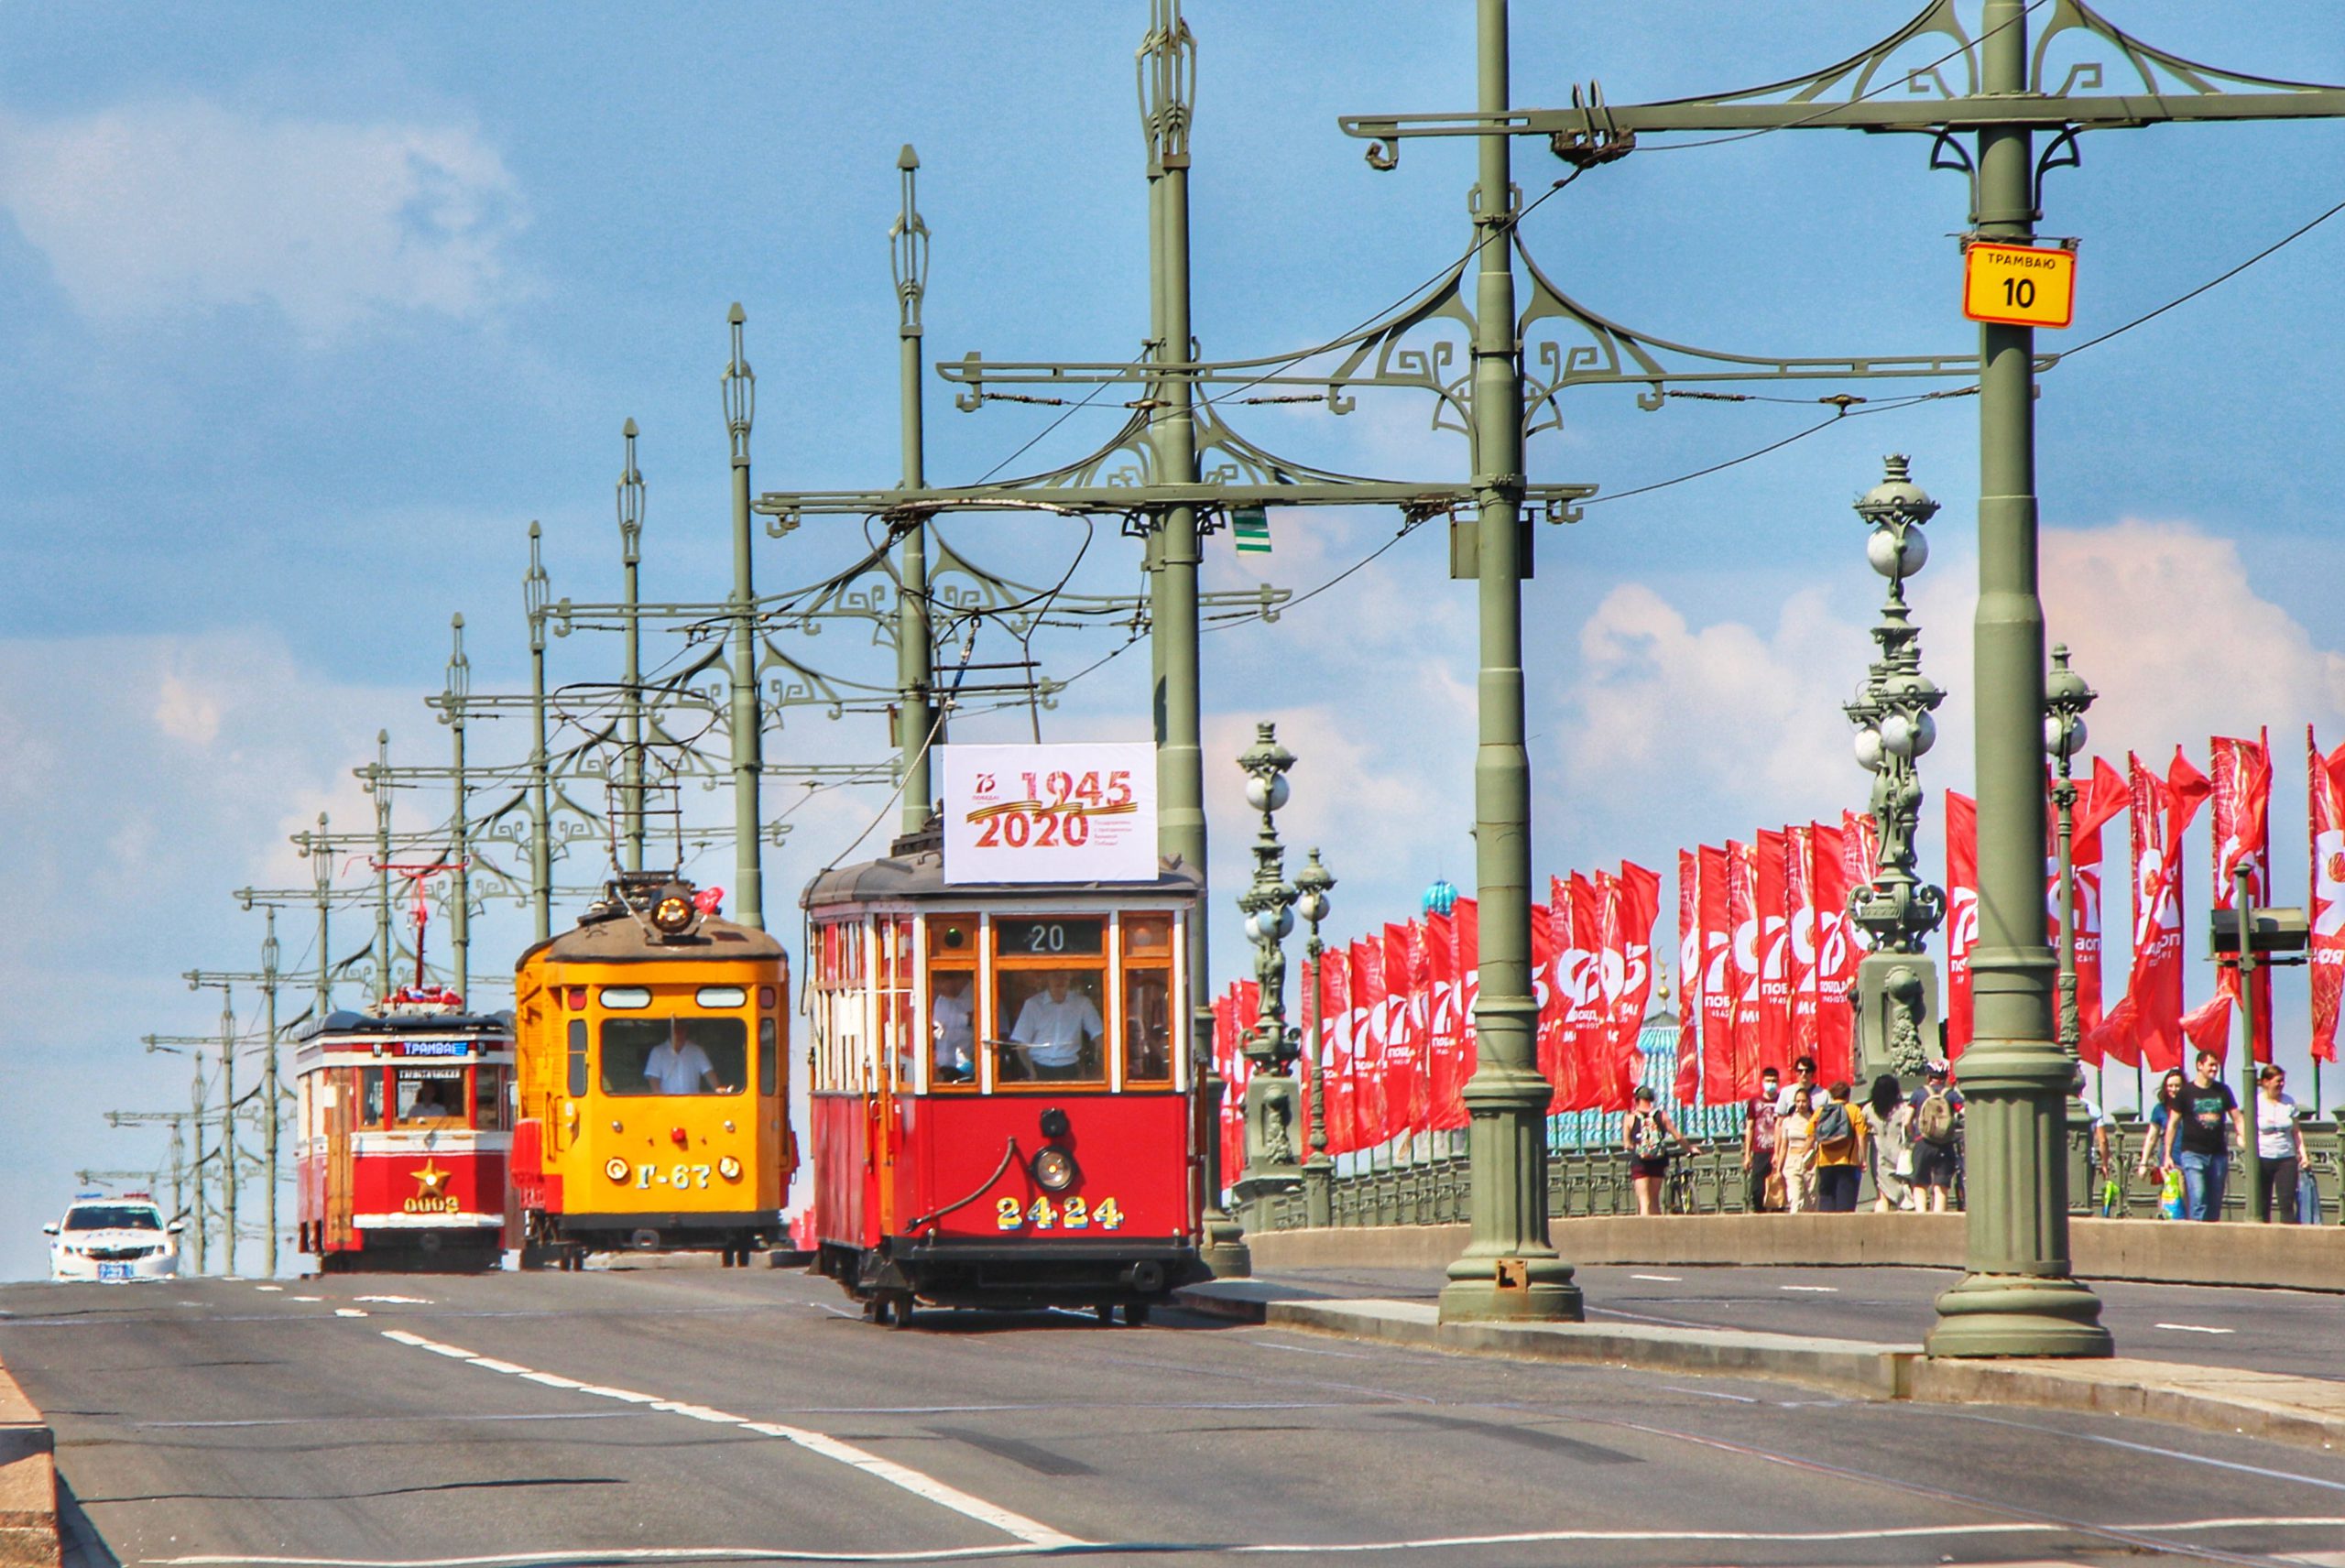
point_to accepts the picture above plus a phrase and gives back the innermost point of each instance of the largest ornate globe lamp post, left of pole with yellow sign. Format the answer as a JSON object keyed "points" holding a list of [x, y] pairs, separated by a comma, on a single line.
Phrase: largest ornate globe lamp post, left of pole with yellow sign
{"points": [[1896, 728]]}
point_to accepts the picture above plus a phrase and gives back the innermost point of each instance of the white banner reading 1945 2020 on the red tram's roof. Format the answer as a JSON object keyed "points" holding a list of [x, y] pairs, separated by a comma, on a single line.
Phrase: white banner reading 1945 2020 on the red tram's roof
{"points": [[1080, 812]]}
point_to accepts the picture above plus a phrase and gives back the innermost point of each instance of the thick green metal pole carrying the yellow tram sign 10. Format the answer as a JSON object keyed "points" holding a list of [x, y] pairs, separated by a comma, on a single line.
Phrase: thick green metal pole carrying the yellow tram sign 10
{"points": [[2018, 1295]]}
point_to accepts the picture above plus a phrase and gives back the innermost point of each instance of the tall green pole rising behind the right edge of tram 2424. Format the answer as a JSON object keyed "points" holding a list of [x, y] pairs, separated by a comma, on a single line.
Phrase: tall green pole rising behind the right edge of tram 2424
{"points": [[1181, 749]]}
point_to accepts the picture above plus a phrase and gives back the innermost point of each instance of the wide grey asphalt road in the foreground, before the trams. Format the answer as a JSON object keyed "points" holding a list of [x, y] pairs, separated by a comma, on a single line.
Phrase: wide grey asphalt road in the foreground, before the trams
{"points": [[747, 1417]]}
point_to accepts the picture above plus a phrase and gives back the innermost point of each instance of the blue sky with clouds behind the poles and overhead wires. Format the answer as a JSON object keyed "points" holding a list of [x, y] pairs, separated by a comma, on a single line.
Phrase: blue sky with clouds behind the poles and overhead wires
{"points": [[306, 318]]}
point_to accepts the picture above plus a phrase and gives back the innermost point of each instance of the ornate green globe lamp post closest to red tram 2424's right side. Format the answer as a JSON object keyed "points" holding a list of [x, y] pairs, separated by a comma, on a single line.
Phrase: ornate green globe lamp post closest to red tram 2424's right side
{"points": [[1272, 1044]]}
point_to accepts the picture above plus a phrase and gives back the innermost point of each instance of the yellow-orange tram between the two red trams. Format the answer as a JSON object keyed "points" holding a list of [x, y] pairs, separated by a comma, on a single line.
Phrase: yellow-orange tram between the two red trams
{"points": [[653, 1082]]}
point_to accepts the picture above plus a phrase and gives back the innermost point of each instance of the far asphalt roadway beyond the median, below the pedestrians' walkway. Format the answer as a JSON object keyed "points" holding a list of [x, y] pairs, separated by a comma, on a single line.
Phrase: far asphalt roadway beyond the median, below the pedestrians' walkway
{"points": [[2295, 1332]]}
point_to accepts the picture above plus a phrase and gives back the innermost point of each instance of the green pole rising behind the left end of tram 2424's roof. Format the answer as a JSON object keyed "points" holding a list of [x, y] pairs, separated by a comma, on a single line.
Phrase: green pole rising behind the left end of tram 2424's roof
{"points": [[916, 662]]}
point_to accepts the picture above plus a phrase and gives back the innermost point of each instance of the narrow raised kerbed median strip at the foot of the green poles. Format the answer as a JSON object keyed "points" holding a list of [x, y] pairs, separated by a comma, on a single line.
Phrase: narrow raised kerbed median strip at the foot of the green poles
{"points": [[2304, 1412]]}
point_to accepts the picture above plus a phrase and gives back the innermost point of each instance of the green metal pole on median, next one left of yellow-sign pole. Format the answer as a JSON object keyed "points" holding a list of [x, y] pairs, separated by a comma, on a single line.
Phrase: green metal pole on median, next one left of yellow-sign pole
{"points": [[1509, 1267]]}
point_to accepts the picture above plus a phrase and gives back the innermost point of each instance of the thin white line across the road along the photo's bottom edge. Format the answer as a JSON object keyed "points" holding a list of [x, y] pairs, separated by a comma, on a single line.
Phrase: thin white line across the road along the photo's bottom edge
{"points": [[1448, 1543]]}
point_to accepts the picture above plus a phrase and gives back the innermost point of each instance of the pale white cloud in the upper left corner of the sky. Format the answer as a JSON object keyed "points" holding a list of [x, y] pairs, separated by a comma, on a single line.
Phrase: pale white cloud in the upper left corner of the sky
{"points": [[184, 205]]}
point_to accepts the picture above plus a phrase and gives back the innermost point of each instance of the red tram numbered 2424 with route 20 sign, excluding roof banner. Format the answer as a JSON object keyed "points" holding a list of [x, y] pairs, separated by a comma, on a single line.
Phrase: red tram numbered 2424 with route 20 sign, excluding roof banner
{"points": [[1002, 1103]]}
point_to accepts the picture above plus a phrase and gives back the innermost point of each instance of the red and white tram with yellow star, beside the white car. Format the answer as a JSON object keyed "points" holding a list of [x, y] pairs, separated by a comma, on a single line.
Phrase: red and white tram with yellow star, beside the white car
{"points": [[405, 1136]]}
